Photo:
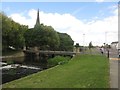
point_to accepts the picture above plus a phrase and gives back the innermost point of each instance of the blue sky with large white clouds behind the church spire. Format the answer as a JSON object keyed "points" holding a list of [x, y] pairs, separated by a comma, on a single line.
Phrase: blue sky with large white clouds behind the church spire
{"points": [[83, 21]]}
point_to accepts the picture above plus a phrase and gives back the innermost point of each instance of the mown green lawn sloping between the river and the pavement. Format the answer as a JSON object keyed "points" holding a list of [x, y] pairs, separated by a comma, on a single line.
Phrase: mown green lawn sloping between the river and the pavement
{"points": [[83, 71]]}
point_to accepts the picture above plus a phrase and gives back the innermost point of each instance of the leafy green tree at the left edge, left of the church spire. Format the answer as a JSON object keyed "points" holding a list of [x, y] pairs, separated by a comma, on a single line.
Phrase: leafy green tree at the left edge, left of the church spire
{"points": [[12, 33]]}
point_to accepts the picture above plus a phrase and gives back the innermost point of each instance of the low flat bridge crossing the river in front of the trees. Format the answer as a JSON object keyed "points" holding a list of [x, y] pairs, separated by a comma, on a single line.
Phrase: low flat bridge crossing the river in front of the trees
{"points": [[44, 55]]}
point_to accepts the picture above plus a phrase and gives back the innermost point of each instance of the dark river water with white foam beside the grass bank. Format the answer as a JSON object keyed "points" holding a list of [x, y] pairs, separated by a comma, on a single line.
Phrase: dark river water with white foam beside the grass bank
{"points": [[18, 67]]}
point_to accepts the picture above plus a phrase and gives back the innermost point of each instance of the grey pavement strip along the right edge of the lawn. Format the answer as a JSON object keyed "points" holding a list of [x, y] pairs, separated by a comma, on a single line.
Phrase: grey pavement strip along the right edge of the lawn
{"points": [[114, 69]]}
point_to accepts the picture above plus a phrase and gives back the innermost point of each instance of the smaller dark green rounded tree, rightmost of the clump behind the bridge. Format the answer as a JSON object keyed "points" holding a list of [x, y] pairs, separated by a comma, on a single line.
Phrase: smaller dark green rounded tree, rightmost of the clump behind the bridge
{"points": [[66, 42]]}
